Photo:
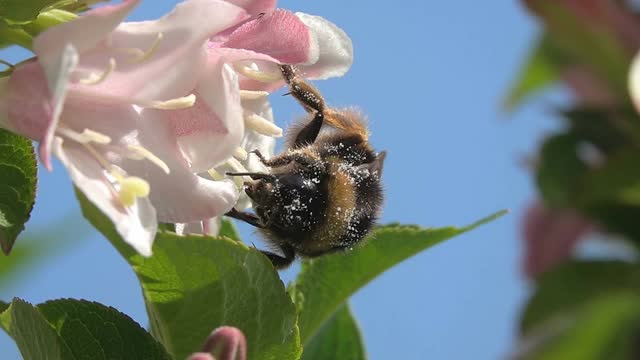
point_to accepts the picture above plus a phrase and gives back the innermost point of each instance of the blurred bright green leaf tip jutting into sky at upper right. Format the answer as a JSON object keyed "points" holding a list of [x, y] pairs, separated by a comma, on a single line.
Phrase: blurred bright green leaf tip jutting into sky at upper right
{"points": [[539, 71]]}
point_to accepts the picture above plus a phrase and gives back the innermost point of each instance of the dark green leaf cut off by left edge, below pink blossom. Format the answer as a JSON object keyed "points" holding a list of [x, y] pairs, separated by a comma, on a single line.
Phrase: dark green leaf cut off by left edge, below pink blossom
{"points": [[18, 173]]}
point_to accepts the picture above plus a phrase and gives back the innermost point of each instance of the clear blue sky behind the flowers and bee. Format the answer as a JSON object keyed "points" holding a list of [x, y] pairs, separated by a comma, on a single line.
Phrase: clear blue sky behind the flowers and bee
{"points": [[431, 76]]}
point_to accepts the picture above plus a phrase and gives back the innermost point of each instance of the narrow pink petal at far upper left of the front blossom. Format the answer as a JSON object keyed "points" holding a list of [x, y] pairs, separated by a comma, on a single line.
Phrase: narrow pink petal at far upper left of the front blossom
{"points": [[84, 32]]}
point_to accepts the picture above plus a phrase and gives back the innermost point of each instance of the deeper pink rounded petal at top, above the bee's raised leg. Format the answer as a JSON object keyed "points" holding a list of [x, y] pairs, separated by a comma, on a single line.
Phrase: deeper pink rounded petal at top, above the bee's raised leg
{"points": [[280, 35]]}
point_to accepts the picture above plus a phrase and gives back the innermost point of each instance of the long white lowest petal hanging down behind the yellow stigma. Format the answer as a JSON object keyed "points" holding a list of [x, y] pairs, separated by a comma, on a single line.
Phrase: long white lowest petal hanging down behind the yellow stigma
{"points": [[136, 224]]}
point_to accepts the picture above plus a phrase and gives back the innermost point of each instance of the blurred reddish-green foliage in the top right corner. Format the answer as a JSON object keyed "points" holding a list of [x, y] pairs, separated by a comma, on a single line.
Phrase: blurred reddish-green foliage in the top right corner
{"points": [[592, 43]]}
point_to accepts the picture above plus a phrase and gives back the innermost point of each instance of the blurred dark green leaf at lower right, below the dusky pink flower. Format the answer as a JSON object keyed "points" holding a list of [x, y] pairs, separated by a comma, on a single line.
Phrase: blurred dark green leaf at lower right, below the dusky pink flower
{"points": [[574, 283]]}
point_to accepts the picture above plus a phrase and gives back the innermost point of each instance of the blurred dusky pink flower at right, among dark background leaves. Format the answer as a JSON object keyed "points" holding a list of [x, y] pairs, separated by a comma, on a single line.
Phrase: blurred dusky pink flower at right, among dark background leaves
{"points": [[550, 236]]}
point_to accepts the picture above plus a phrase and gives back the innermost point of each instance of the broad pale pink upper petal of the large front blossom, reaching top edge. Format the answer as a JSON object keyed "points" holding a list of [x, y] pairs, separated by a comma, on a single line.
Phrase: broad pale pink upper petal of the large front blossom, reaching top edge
{"points": [[172, 70]]}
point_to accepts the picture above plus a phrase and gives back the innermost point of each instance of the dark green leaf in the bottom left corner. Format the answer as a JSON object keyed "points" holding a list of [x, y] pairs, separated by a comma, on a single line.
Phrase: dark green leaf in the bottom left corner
{"points": [[77, 329]]}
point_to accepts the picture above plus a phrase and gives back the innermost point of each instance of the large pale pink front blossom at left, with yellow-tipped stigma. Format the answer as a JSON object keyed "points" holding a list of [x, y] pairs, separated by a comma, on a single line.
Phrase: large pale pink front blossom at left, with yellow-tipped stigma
{"points": [[122, 104]]}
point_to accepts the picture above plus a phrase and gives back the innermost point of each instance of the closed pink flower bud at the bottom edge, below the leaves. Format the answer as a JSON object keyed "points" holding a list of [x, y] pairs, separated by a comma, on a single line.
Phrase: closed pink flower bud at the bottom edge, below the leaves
{"points": [[224, 343]]}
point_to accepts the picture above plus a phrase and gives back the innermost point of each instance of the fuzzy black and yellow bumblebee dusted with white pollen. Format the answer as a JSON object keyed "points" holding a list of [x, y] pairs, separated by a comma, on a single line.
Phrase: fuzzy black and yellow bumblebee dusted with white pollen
{"points": [[324, 193]]}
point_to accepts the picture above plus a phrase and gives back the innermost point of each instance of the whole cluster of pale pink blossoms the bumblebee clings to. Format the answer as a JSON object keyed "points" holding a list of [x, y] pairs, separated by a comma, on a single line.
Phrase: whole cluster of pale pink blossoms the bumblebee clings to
{"points": [[135, 111]]}
